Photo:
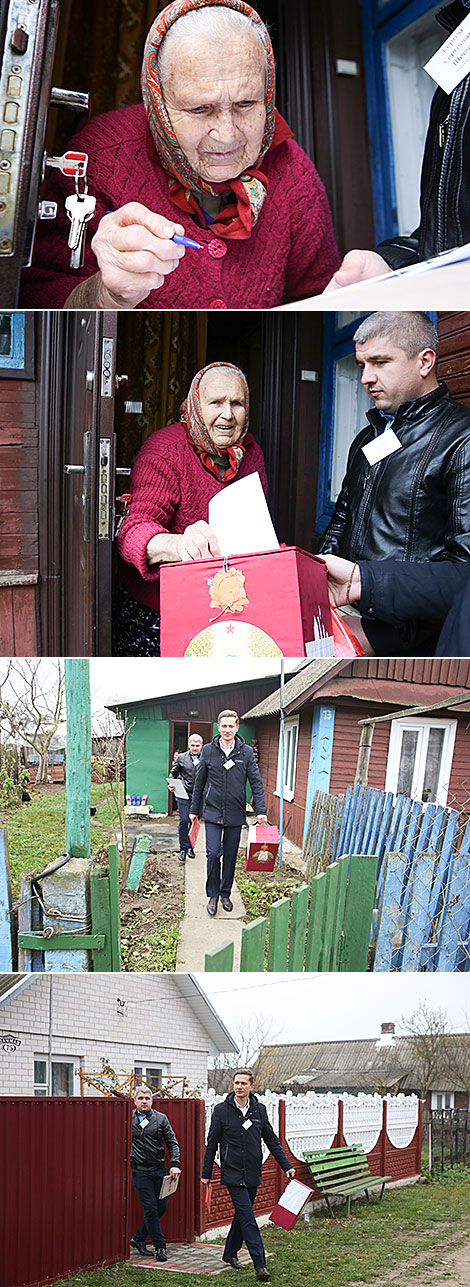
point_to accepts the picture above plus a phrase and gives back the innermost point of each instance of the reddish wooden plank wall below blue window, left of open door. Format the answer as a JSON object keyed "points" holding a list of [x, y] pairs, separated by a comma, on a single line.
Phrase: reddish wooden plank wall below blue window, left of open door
{"points": [[19, 515]]}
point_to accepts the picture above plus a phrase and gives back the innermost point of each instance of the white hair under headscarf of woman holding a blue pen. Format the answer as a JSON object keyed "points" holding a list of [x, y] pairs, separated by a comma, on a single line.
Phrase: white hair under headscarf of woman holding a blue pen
{"points": [[217, 24]]}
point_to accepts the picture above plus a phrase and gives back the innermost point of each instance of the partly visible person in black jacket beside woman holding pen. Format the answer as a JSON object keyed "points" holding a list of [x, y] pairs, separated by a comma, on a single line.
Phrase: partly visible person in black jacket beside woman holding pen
{"points": [[445, 217]]}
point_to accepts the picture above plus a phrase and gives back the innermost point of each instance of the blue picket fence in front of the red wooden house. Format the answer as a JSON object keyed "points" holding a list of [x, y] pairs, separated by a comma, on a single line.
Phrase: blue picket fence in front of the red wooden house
{"points": [[423, 899]]}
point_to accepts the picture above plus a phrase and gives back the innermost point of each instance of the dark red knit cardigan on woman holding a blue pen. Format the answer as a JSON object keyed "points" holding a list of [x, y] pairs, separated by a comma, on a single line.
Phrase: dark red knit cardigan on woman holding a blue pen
{"points": [[290, 255]]}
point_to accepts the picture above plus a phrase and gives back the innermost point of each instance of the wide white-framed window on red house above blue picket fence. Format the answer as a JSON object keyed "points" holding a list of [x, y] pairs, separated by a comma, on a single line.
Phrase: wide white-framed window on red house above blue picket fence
{"points": [[420, 759]]}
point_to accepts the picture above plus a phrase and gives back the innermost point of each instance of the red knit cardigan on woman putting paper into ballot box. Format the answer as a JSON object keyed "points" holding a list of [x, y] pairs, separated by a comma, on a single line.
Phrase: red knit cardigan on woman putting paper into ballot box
{"points": [[171, 488]]}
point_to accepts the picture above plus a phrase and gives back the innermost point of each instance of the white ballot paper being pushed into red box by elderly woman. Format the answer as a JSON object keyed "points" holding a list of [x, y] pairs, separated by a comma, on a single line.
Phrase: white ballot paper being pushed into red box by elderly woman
{"points": [[241, 521]]}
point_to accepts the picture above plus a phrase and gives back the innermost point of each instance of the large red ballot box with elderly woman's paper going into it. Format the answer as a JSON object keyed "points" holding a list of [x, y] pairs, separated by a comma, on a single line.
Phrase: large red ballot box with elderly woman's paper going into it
{"points": [[275, 604]]}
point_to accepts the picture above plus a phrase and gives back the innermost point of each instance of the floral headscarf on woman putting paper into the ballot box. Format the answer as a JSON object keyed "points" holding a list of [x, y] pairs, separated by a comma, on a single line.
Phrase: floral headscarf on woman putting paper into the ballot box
{"points": [[199, 433]]}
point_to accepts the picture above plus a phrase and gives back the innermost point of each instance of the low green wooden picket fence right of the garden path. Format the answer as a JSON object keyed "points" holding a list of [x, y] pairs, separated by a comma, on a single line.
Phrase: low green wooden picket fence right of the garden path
{"points": [[326, 926]]}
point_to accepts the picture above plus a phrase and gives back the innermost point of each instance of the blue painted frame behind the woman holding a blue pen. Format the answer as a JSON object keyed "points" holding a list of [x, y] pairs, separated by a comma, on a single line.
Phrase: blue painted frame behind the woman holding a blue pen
{"points": [[381, 21]]}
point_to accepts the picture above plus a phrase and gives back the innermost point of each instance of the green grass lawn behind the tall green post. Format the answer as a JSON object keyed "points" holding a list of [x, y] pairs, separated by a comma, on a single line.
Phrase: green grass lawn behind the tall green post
{"points": [[37, 832]]}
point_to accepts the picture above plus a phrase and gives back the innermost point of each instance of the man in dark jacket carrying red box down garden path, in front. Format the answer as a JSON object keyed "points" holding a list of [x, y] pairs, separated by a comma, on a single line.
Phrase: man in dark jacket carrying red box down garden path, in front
{"points": [[220, 799]]}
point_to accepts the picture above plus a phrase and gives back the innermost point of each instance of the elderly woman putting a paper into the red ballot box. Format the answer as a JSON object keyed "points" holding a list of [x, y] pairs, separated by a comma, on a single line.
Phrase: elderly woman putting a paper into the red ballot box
{"points": [[177, 473]]}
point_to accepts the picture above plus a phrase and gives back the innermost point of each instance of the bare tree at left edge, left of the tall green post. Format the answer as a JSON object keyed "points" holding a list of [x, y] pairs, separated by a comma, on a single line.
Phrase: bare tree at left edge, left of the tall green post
{"points": [[33, 706]]}
